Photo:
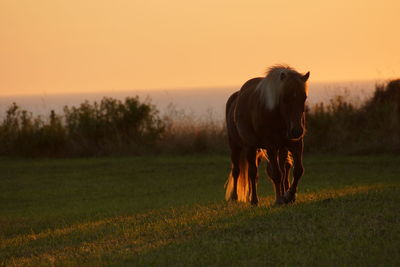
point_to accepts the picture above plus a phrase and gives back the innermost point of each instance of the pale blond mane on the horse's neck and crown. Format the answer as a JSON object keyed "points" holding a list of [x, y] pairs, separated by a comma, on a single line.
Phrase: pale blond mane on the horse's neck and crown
{"points": [[270, 87]]}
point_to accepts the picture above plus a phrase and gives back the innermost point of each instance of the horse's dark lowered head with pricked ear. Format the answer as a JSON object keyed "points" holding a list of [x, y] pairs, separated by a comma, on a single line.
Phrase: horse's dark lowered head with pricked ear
{"points": [[292, 102]]}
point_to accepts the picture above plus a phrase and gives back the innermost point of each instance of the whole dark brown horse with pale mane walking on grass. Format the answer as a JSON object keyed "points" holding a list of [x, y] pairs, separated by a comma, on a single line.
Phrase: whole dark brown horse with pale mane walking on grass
{"points": [[265, 119]]}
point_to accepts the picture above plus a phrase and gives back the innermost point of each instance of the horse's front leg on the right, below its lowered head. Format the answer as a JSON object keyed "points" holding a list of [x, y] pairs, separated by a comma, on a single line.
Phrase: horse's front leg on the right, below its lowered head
{"points": [[298, 170]]}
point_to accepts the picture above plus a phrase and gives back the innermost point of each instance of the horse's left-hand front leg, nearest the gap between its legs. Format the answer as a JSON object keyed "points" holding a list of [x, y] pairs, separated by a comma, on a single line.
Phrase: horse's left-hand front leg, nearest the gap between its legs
{"points": [[275, 174]]}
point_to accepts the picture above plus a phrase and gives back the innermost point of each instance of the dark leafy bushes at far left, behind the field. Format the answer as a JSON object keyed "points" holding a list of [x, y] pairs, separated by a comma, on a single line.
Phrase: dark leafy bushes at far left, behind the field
{"points": [[108, 127]]}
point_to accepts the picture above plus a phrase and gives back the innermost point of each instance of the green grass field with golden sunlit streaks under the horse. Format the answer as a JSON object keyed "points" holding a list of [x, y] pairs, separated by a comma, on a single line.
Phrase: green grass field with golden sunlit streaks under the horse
{"points": [[169, 210]]}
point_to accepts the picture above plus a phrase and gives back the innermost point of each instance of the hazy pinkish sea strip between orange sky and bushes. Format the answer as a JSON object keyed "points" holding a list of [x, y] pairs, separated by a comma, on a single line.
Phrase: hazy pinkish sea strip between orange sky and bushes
{"points": [[198, 102]]}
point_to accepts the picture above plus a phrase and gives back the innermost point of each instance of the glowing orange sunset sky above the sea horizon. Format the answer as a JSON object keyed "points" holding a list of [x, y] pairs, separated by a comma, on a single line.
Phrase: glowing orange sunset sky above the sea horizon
{"points": [[53, 46]]}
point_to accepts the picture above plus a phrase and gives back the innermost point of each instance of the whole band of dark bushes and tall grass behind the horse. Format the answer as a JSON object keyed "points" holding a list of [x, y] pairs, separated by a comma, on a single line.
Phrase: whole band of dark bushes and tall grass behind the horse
{"points": [[111, 127]]}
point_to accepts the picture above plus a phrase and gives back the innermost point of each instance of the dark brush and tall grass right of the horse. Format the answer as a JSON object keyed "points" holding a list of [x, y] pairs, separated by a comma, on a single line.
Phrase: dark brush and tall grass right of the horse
{"points": [[371, 127]]}
